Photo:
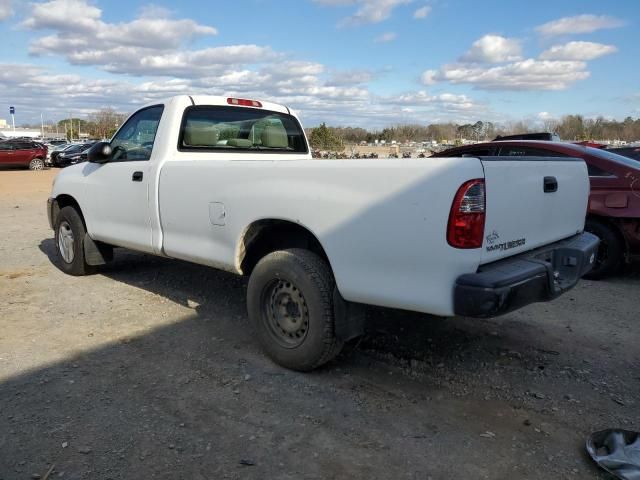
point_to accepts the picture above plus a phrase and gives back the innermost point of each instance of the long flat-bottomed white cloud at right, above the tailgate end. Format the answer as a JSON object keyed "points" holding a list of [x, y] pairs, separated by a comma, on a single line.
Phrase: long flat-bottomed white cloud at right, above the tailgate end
{"points": [[527, 74]]}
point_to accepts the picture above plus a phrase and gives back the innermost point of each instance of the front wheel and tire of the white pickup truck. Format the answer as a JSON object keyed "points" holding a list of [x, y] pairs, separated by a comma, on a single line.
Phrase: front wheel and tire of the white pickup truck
{"points": [[69, 233]]}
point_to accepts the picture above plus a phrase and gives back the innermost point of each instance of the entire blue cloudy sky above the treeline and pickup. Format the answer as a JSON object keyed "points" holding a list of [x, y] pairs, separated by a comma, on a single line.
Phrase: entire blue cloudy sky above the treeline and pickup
{"points": [[366, 63]]}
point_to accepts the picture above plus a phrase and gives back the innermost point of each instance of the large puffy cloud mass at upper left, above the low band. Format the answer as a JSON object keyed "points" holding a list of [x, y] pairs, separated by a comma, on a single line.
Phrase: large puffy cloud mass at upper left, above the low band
{"points": [[152, 44]]}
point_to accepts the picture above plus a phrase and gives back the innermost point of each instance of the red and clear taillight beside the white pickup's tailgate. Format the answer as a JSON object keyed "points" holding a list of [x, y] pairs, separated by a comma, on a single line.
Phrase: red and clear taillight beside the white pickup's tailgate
{"points": [[466, 219]]}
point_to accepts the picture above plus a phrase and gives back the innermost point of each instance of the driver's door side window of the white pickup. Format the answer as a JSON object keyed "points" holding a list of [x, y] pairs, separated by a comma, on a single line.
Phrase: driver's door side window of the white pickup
{"points": [[134, 141]]}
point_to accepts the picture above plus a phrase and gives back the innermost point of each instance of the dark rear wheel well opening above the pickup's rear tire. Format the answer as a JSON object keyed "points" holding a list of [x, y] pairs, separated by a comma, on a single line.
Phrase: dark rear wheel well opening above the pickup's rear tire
{"points": [[266, 236]]}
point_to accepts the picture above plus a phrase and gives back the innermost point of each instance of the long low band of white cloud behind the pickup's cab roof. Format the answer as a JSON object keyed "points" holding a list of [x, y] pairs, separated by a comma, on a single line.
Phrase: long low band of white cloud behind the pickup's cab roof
{"points": [[316, 100]]}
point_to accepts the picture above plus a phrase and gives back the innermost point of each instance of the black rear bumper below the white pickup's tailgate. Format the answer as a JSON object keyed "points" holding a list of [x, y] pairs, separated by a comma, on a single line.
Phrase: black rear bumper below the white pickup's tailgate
{"points": [[536, 276]]}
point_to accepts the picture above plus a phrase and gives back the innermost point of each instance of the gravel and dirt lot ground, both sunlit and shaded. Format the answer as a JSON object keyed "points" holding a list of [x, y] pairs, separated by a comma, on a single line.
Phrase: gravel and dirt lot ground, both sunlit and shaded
{"points": [[149, 370]]}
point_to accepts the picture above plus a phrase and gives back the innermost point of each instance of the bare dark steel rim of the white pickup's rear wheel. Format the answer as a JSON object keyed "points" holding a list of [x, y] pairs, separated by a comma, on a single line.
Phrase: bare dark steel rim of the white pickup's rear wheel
{"points": [[286, 312]]}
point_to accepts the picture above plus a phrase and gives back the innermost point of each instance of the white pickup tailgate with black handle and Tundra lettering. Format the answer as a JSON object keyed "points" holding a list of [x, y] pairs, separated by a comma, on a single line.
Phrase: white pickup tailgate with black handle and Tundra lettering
{"points": [[523, 208]]}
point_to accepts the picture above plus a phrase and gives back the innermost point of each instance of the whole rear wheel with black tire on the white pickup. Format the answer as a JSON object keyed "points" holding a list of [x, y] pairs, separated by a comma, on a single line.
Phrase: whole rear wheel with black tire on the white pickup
{"points": [[290, 304]]}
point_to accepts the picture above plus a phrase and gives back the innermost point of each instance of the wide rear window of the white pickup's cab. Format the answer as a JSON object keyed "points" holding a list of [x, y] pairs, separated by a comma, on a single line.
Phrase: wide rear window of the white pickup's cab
{"points": [[221, 128]]}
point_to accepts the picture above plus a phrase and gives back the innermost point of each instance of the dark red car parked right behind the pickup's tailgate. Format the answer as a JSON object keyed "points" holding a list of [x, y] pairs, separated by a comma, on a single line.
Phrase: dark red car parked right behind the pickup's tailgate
{"points": [[614, 204]]}
